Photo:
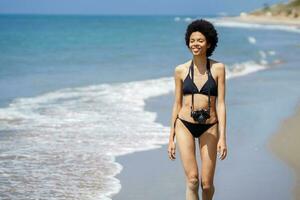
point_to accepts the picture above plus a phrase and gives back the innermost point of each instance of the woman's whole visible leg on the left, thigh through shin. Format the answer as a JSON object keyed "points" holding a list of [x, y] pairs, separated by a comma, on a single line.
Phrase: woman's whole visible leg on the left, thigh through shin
{"points": [[186, 146]]}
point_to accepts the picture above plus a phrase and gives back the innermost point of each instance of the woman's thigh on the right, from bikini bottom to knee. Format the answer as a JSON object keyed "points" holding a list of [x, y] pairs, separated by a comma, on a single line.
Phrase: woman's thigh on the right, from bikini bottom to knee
{"points": [[208, 152]]}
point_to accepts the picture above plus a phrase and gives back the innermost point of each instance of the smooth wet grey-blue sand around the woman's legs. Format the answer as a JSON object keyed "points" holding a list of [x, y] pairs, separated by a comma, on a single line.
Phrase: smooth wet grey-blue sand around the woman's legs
{"points": [[248, 167]]}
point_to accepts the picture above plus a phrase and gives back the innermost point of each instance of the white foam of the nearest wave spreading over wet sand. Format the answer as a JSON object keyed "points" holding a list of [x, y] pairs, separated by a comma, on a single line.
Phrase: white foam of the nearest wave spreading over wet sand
{"points": [[74, 134]]}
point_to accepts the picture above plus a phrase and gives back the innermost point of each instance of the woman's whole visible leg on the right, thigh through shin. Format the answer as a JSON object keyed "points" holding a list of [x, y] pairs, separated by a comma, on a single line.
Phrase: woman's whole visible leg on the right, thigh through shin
{"points": [[208, 152]]}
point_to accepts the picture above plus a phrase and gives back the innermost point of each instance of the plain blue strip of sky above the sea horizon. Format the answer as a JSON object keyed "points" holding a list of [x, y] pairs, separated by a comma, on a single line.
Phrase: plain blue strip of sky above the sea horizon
{"points": [[132, 7]]}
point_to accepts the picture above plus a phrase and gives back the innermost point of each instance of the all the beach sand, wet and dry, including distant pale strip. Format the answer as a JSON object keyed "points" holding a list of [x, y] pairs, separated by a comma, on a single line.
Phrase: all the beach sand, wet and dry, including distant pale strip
{"points": [[150, 175]]}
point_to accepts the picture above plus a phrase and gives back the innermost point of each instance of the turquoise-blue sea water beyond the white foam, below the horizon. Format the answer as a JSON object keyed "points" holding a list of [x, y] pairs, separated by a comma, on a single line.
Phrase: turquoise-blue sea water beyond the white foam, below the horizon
{"points": [[44, 53]]}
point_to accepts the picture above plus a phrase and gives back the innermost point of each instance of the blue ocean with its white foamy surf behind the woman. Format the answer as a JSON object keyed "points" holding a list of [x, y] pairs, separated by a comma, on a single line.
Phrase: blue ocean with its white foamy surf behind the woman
{"points": [[73, 91]]}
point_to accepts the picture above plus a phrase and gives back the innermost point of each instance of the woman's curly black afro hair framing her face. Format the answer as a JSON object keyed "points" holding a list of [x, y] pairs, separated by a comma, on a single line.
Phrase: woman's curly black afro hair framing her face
{"points": [[207, 29]]}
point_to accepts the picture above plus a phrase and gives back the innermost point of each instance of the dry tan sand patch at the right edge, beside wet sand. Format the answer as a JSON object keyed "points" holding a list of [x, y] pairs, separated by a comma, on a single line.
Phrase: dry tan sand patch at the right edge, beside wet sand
{"points": [[287, 135]]}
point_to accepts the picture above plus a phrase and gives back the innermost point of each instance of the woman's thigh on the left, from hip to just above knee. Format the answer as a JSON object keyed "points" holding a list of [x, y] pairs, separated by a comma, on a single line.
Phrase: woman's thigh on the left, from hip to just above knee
{"points": [[186, 146]]}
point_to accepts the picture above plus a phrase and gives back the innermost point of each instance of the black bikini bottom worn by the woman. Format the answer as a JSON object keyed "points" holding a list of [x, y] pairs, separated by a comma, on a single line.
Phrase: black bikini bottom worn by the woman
{"points": [[195, 129]]}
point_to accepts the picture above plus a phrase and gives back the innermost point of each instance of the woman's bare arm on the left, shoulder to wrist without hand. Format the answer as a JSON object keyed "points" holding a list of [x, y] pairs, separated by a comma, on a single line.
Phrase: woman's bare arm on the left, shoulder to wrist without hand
{"points": [[177, 101]]}
